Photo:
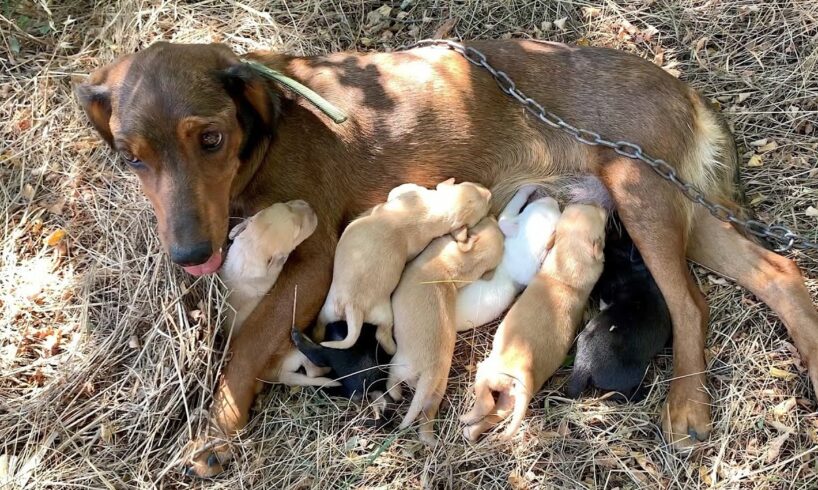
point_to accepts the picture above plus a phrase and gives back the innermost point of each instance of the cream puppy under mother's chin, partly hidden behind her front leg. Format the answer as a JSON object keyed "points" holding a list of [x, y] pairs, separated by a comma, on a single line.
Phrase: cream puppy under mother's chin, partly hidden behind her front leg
{"points": [[261, 245]]}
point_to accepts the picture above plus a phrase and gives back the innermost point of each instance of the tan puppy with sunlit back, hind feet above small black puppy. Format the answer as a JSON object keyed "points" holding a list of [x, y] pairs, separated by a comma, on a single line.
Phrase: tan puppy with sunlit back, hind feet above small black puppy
{"points": [[374, 249]]}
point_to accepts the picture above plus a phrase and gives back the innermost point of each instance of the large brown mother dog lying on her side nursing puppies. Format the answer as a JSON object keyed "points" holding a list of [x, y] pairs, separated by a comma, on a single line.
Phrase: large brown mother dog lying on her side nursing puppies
{"points": [[209, 138]]}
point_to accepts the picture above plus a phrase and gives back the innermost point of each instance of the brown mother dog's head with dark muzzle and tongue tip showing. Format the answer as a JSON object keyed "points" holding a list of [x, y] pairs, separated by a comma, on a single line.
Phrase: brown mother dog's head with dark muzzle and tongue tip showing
{"points": [[187, 118]]}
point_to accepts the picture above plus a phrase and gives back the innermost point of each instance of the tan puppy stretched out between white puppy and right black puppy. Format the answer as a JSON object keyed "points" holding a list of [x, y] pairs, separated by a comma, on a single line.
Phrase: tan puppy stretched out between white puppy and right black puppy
{"points": [[536, 334]]}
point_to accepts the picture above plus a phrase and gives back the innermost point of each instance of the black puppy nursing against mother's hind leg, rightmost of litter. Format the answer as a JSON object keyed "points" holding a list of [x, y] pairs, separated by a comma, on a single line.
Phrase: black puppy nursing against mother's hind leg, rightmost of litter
{"points": [[633, 325]]}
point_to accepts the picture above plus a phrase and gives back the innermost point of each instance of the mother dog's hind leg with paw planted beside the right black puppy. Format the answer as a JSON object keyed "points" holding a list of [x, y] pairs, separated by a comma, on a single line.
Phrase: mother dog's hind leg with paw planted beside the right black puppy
{"points": [[656, 218]]}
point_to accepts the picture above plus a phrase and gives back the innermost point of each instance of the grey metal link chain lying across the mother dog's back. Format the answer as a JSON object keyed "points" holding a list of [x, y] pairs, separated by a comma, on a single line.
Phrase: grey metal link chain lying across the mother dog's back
{"points": [[781, 235]]}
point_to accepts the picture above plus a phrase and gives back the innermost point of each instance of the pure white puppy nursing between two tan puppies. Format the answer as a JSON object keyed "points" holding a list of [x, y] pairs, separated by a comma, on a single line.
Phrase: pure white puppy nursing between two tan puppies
{"points": [[527, 235]]}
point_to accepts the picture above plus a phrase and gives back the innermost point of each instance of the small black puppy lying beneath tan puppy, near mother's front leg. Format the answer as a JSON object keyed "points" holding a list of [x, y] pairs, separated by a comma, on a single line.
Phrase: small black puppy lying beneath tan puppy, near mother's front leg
{"points": [[362, 369]]}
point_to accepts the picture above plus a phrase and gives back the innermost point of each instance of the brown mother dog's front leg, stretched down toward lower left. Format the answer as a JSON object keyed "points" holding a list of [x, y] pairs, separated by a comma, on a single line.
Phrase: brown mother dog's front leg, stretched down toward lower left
{"points": [[261, 345]]}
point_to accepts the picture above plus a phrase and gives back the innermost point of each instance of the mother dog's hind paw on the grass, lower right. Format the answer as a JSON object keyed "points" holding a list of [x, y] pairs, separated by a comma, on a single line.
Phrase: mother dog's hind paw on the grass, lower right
{"points": [[686, 415]]}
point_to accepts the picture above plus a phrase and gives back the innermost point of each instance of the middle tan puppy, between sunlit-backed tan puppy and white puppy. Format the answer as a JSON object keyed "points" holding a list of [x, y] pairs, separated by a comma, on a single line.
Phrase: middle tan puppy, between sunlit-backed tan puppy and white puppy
{"points": [[424, 306]]}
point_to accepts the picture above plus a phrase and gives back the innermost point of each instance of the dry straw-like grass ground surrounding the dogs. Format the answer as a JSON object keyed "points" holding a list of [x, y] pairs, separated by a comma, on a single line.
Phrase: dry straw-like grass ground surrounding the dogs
{"points": [[108, 354]]}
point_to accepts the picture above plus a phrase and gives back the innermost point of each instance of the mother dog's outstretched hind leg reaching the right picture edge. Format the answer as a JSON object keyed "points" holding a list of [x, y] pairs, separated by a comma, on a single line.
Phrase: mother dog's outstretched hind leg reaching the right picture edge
{"points": [[775, 280]]}
